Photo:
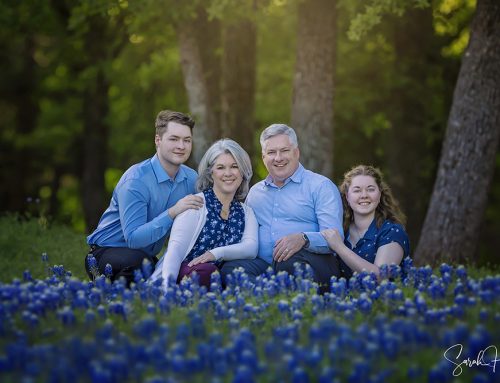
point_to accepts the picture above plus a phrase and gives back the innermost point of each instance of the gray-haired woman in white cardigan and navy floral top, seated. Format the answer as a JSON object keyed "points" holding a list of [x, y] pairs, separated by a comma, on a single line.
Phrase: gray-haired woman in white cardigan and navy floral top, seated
{"points": [[223, 229]]}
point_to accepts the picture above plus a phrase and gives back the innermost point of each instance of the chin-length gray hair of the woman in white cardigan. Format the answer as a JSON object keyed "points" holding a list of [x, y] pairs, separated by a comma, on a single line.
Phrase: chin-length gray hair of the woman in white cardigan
{"points": [[241, 157]]}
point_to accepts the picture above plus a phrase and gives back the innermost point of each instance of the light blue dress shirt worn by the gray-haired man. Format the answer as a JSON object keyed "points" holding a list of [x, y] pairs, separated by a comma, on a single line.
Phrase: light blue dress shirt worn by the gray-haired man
{"points": [[307, 202]]}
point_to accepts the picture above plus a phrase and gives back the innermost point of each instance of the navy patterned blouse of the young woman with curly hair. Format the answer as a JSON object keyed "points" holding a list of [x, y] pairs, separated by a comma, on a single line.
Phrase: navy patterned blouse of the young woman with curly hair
{"points": [[373, 239]]}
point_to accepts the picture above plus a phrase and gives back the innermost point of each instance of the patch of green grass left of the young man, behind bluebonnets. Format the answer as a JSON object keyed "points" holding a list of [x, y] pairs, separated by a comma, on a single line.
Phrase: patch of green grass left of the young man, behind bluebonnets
{"points": [[23, 240]]}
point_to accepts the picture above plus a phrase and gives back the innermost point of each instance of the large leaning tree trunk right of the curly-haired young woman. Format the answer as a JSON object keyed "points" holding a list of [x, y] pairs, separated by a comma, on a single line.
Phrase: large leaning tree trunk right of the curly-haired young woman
{"points": [[451, 227]]}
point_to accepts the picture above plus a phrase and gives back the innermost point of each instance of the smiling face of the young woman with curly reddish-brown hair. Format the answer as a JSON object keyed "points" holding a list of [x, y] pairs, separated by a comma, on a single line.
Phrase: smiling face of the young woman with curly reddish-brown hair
{"points": [[363, 195]]}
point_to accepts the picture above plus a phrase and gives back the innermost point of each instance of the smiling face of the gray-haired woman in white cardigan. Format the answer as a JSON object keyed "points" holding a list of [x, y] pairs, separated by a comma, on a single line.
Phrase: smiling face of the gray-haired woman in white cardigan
{"points": [[226, 176]]}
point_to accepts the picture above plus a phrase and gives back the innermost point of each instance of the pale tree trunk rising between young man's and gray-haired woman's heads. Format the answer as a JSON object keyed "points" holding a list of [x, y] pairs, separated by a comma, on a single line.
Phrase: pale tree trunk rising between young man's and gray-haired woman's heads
{"points": [[198, 40]]}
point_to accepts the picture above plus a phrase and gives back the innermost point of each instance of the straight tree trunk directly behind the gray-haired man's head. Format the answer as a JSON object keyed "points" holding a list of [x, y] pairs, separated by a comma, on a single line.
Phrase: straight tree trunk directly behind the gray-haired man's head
{"points": [[312, 105]]}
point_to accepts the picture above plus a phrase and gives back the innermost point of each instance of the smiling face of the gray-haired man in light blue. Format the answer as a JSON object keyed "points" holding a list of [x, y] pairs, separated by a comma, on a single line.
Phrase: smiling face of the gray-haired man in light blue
{"points": [[280, 157]]}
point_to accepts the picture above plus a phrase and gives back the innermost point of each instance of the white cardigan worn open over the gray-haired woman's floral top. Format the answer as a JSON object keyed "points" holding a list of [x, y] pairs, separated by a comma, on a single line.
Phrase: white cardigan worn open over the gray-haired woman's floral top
{"points": [[187, 227]]}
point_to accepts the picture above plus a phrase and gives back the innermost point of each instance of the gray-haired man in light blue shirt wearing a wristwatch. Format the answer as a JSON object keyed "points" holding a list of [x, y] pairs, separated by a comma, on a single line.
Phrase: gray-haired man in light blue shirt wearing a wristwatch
{"points": [[292, 206]]}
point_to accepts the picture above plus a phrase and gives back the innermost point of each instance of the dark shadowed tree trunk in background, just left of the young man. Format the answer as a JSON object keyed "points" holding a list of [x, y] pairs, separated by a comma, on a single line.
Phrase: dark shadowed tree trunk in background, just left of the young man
{"points": [[96, 130]]}
